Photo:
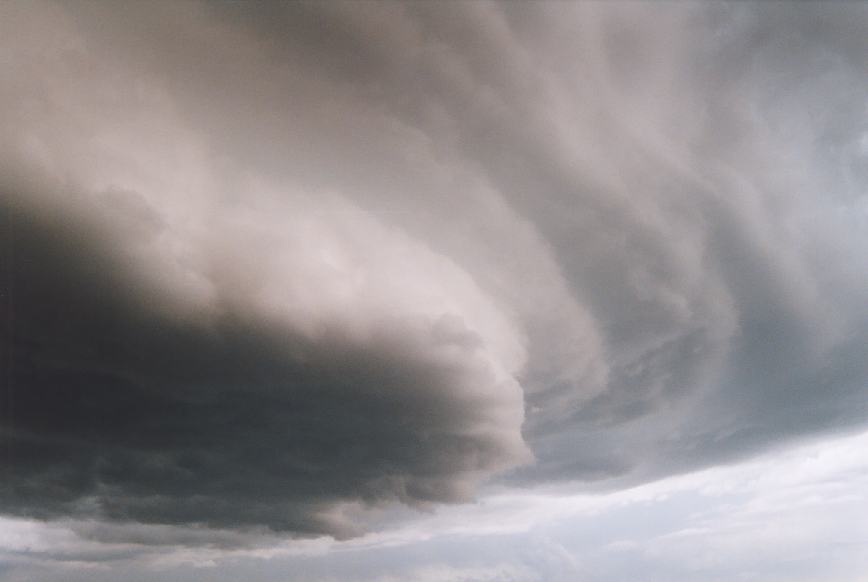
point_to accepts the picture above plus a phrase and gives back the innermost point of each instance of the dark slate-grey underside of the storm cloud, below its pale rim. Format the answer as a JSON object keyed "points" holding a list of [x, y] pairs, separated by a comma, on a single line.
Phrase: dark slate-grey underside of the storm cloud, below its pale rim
{"points": [[117, 411]]}
